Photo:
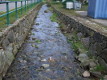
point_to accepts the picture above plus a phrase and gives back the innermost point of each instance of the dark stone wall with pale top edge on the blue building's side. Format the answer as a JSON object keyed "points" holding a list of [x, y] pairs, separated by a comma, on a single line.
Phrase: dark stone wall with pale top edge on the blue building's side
{"points": [[93, 39]]}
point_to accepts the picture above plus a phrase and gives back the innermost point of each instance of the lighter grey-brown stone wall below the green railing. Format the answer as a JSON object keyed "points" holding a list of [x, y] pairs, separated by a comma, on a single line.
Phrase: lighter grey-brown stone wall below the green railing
{"points": [[12, 38]]}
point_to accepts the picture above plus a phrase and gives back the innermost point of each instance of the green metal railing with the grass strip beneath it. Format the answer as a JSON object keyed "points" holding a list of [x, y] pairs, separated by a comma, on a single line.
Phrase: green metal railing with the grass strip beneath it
{"points": [[8, 16]]}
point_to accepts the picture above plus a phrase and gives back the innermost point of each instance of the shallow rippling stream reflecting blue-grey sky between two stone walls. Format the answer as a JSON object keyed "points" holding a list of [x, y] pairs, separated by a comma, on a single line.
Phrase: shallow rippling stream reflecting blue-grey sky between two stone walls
{"points": [[46, 55]]}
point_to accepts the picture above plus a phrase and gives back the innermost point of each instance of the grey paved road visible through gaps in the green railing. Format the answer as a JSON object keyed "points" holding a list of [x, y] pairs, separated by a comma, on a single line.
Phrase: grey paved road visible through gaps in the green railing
{"points": [[11, 6]]}
